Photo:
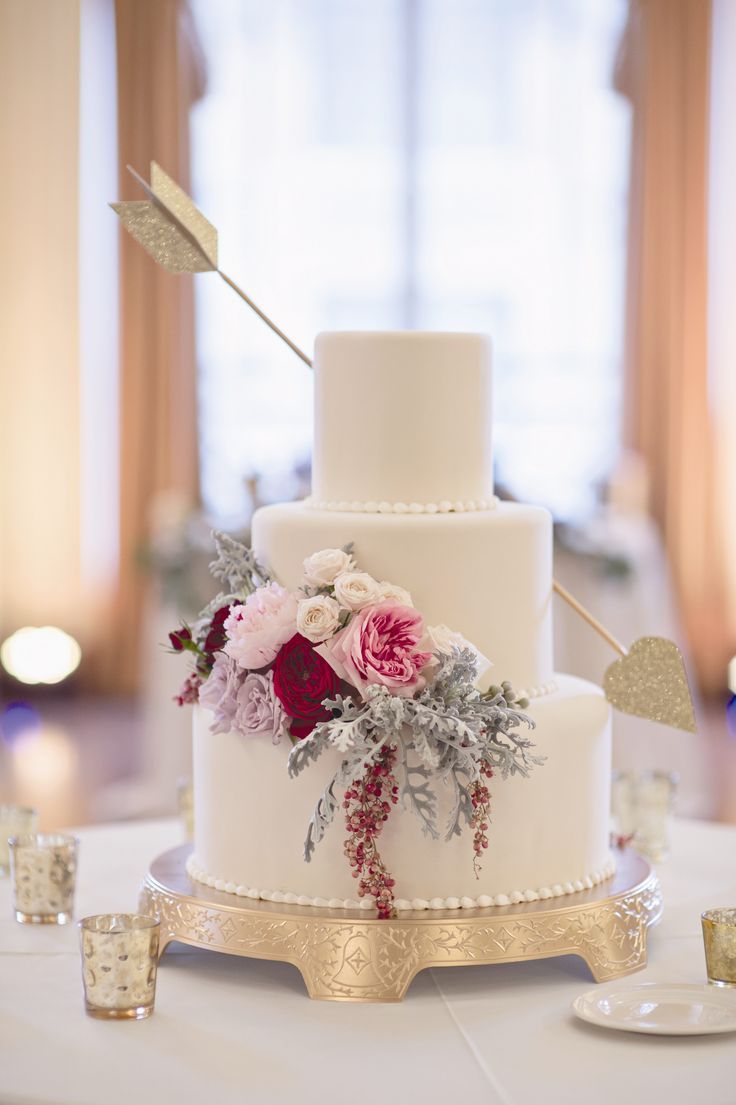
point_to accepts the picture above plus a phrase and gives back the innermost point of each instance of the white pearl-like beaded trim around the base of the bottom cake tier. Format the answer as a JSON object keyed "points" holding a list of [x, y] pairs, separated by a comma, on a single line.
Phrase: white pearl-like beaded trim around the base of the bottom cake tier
{"points": [[483, 901]]}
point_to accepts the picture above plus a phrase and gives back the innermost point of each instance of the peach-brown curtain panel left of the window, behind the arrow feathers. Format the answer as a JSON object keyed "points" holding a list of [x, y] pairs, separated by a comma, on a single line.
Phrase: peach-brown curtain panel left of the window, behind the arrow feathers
{"points": [[160, 77]]}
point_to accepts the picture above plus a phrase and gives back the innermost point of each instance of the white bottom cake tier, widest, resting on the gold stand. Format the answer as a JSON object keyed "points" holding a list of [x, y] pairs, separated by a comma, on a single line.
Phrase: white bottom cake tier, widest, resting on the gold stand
{"points": [[549, 835]]}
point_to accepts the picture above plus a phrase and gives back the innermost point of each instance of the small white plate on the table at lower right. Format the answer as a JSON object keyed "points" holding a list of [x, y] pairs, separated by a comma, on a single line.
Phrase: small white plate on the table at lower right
{"points": [[667, 1009]]}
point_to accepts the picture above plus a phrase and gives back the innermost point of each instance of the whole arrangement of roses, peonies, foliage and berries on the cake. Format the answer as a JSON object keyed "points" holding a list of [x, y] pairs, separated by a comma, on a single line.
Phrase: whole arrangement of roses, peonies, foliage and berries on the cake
{"points": [[346, 662]]}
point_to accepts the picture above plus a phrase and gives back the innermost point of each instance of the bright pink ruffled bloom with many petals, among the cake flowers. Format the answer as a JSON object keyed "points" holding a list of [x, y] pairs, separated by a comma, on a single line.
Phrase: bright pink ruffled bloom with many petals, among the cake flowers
{"points": [[380, 646]]}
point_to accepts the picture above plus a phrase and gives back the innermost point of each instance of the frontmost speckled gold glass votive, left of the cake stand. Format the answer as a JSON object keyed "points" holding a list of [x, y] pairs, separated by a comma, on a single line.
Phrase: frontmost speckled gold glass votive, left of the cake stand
{"points": [[120, 954]]}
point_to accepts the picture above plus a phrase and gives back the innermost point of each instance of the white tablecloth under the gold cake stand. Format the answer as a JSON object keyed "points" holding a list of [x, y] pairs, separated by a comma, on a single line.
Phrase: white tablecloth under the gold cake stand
{"points": [[236, 1030]]}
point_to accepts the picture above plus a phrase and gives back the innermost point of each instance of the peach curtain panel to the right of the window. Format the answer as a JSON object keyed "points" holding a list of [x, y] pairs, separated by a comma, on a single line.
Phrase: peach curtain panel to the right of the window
{"points": [[665, 70]]}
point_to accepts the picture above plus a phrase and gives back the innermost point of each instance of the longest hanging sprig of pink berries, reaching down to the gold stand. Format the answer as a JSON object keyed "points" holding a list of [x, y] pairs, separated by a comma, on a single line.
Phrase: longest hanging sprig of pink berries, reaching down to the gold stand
{"points": [[367, 805]]}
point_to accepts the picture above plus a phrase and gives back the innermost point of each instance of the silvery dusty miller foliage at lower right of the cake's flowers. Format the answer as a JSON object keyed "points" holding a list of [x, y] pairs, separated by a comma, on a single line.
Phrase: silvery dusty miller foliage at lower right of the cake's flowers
{"points": [[444, 736]]}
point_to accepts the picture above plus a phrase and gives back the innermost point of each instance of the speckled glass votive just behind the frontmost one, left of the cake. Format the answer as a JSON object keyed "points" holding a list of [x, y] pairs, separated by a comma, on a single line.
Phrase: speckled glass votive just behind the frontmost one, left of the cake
{"points": [[45, 874]]}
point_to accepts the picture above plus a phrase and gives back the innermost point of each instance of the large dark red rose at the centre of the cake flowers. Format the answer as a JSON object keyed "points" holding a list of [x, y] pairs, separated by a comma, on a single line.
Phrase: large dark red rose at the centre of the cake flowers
{"points": [[302, 680]]}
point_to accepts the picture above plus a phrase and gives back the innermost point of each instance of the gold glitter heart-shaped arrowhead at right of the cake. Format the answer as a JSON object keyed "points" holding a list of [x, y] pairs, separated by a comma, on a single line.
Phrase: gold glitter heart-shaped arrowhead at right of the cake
{"points": [[650, 682]]}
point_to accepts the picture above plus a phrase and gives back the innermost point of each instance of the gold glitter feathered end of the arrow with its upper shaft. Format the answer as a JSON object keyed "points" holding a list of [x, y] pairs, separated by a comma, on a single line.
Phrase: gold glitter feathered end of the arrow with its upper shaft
{"points": [[174, 231]]}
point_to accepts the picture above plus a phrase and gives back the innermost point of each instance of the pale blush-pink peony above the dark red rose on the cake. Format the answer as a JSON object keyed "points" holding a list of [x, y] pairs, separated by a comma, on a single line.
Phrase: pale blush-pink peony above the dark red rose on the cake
{"points": [[258, 629]]}
